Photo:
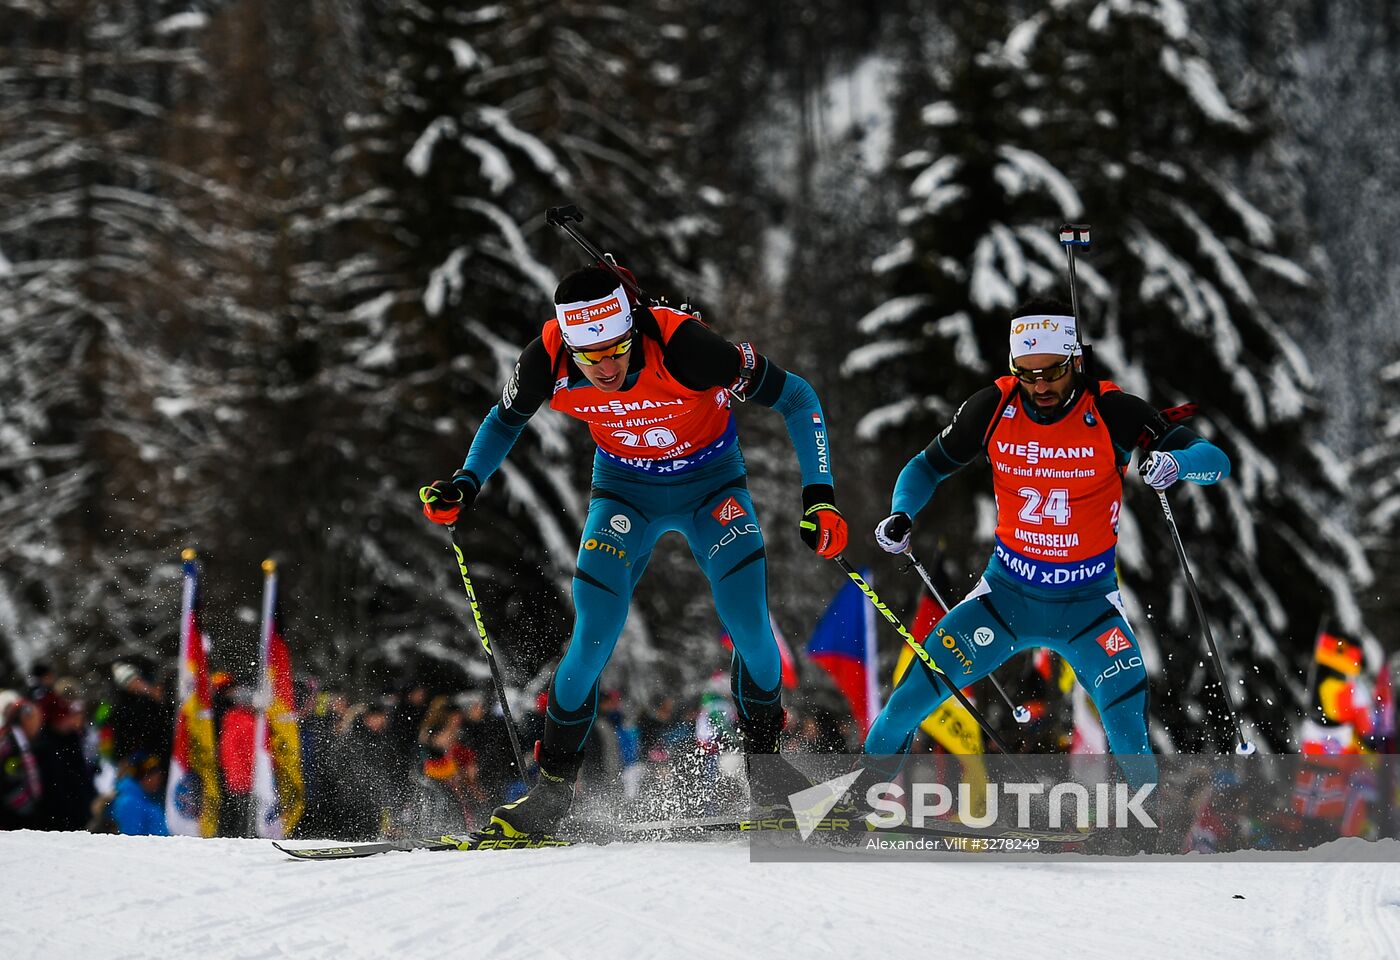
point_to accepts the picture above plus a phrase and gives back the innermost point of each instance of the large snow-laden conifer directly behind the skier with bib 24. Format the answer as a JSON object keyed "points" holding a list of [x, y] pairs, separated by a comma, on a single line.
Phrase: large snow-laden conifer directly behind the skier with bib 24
{"points": [[1109, 113]]}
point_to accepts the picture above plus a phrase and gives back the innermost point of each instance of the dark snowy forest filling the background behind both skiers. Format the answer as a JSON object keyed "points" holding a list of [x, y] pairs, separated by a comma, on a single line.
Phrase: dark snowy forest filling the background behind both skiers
{"points": [[265, 267]]}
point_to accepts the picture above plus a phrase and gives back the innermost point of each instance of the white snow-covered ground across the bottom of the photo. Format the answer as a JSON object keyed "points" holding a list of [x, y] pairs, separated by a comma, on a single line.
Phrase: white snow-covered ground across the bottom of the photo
{"points": [[99, 896]]}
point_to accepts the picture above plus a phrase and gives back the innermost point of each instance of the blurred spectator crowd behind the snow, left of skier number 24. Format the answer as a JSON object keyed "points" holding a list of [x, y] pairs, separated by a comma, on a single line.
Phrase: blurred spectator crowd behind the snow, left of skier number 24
{"points": [[408, 762]]}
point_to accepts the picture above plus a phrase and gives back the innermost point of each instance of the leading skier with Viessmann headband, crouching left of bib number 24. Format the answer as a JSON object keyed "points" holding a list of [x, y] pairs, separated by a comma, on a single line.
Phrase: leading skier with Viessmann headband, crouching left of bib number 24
{"points": [[656, 388]]}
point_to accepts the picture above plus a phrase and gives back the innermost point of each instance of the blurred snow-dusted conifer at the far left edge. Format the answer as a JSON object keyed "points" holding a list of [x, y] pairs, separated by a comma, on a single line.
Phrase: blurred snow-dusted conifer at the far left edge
{"points": [[117, 323]]}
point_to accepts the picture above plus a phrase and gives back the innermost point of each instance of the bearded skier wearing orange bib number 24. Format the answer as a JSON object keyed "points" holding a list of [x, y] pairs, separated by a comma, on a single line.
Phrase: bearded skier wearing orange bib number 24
{"points": [[1059, 447]]}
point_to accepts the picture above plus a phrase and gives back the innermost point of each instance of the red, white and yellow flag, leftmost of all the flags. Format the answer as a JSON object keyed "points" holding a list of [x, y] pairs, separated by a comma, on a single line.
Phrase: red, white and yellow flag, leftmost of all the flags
{"points": [[192, 787]]}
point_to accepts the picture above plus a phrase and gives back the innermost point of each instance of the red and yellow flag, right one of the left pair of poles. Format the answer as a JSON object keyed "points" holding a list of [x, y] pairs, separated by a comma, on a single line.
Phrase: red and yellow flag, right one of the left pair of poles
{"points": [[279, 790]]}
